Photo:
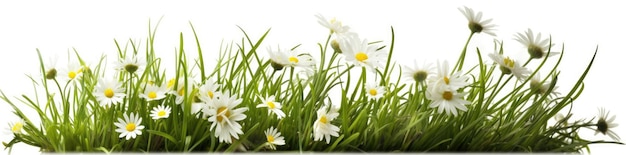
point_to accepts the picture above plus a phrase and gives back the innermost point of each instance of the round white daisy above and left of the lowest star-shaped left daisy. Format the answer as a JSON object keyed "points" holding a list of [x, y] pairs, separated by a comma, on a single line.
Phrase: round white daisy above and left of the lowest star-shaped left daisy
{"points": [[109, 91]]}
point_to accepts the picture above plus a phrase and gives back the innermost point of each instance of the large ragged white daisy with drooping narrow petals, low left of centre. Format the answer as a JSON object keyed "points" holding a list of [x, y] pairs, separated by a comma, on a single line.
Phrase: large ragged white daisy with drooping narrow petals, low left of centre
{"points": [[224, 117]]}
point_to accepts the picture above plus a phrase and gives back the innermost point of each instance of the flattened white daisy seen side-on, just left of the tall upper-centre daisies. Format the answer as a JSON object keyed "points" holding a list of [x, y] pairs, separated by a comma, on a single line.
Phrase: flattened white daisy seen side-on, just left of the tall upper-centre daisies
{"points": [[288, 58]]}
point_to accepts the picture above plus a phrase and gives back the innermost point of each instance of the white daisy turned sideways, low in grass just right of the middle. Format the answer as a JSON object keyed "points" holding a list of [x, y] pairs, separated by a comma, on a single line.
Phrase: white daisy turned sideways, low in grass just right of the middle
{"points": [[322, 127]]}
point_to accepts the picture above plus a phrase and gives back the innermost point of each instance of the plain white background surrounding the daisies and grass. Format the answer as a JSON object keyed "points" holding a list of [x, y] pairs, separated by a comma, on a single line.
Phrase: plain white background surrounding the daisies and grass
{"points": [[425, 31]]}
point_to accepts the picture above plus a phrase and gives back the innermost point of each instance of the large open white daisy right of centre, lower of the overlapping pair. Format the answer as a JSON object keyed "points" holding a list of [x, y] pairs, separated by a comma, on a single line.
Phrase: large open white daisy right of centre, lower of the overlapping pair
{"points": [[446, 99]]}
